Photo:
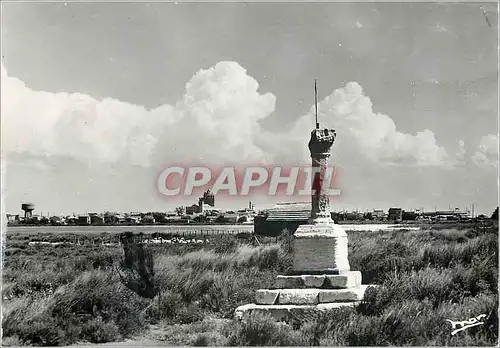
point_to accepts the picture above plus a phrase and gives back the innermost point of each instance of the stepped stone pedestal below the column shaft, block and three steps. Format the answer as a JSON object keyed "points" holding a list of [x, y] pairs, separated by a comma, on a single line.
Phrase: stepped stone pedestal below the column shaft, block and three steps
{"points": [[320, 279]]}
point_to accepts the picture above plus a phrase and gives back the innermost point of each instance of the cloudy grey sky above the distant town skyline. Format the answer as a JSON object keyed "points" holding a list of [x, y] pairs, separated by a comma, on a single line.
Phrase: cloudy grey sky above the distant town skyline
{"points": [[97, 98]]}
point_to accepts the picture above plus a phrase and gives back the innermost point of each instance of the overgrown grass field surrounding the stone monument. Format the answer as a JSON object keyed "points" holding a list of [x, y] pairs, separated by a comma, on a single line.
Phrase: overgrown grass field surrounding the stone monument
{"points": [[185, 294]]}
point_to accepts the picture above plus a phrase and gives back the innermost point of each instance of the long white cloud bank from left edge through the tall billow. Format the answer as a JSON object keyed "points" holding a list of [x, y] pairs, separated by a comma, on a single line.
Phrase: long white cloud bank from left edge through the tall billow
{"points": [[217, 116]]}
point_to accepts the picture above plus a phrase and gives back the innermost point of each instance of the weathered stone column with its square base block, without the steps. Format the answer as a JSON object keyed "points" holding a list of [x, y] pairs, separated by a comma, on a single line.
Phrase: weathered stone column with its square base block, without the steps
{"points": [[320, 247]]}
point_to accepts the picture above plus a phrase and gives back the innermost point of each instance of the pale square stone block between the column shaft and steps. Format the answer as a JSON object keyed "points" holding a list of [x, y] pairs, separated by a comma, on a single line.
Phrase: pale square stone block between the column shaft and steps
{"points": [[320, 249]]}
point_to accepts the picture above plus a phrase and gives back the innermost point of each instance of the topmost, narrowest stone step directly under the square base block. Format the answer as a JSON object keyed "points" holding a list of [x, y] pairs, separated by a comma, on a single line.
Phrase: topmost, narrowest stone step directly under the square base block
{"points": [[350, 279]]}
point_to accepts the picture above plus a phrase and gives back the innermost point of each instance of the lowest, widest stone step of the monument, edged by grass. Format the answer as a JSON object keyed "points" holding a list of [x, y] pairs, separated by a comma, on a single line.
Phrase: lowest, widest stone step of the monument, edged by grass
{"points": [[284, 312]]}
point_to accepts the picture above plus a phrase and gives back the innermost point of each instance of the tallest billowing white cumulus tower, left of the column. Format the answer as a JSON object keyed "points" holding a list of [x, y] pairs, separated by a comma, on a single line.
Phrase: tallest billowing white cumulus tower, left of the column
{"points": [[219, 115]]}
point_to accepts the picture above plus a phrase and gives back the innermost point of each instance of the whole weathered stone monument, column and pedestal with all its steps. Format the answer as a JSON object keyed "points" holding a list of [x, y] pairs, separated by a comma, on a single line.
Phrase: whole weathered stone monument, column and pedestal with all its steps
{"points": [[320, 278]]}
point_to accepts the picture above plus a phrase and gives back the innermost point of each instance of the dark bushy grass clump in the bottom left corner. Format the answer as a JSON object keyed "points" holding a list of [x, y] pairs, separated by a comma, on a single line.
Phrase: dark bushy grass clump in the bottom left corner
{"points": [[95, 307]]}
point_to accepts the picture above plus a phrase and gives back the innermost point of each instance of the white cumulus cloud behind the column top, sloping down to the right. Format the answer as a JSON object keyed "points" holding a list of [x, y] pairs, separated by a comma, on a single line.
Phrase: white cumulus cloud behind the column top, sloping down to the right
{"points": [[366, 134]]}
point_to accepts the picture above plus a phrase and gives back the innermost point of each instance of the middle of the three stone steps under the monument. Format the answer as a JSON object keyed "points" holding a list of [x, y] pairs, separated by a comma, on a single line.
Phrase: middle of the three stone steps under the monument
{"points": [[309, 296]]}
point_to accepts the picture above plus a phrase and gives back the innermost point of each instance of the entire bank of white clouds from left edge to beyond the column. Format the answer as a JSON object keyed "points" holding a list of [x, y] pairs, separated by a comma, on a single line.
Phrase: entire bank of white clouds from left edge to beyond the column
{"points": [[216, 121]]}
